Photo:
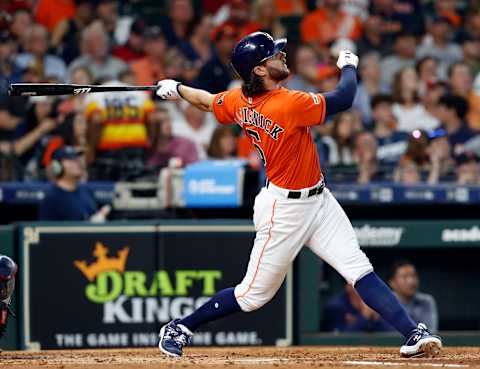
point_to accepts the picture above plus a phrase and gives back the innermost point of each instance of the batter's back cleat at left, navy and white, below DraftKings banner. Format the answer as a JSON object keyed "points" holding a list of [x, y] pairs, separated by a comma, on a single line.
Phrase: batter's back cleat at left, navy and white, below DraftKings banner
{"points": [[173, 337]]}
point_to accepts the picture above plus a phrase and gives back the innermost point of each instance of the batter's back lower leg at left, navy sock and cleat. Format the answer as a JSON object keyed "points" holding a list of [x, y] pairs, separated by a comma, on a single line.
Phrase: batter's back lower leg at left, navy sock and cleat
{"points": [[178, 333]]}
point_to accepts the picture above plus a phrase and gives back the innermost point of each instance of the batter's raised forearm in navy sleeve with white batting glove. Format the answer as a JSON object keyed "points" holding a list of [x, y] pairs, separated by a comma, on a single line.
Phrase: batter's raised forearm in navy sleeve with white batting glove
{"points": [[342, 97]]}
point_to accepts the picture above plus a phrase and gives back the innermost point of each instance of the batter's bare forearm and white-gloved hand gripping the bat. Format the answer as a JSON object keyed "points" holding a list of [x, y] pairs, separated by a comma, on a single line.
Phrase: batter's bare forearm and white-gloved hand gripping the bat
{"points": [[169, 89]]}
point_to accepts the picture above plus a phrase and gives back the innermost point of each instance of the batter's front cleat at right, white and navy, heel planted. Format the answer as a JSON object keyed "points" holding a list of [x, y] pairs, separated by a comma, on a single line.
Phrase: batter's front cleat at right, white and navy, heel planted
{"points": [[421, 343]]}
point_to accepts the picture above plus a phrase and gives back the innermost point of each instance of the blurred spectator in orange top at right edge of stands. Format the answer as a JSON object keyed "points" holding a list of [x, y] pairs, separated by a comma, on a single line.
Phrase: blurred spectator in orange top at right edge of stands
{"points": [[460, 82]]}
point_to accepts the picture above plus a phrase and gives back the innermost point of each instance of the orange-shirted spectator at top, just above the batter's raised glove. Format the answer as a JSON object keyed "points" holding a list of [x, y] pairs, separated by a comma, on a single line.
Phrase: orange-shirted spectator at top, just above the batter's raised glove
{"points": [[328, 23]]}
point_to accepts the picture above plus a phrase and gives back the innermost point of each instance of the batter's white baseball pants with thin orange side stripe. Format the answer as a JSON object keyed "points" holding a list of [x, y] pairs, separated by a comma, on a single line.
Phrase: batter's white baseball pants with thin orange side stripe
{"points": [[283, 226]]}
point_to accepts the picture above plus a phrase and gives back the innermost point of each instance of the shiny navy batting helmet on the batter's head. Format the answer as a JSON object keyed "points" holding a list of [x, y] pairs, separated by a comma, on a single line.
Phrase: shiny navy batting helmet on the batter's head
{"points": [[254, 49]]}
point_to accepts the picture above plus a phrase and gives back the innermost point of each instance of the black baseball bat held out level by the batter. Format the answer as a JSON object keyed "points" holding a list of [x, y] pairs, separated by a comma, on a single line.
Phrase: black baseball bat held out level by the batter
{"points": [[49, 89]]}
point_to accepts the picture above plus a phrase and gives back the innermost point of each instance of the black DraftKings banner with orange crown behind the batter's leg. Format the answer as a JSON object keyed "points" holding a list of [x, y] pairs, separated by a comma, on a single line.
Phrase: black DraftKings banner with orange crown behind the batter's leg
{"points": [[94, 287]]}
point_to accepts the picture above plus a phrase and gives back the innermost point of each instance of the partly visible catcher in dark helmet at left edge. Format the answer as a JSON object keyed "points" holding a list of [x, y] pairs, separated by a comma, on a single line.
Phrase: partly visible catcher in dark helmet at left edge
{"points": [[8, 270]]}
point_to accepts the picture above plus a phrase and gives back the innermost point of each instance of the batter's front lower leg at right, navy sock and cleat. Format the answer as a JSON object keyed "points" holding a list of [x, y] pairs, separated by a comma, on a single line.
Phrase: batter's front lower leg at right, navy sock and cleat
{"points": [[418, 340]]}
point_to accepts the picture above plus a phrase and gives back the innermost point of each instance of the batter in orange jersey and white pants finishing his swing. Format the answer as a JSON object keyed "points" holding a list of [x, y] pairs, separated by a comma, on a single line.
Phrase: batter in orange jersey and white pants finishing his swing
{"points": [[294, 208]]}
